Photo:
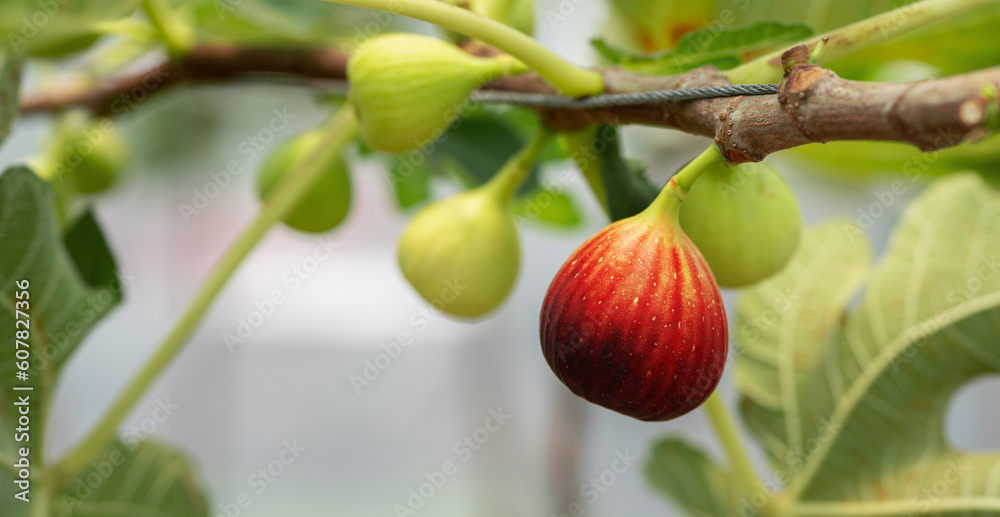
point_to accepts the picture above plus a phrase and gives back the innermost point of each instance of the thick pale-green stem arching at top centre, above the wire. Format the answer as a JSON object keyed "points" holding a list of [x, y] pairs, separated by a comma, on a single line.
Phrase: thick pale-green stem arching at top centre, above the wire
{"points": [[566, 77]]}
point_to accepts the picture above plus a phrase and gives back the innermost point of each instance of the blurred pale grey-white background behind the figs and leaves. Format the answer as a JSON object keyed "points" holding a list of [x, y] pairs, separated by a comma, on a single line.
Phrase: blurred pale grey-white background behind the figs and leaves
{"points": [[291, 380]]}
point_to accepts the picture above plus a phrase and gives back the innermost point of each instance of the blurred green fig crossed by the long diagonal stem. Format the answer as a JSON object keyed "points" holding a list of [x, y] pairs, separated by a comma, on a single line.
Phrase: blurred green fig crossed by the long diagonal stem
{"points": [[326, 202]]}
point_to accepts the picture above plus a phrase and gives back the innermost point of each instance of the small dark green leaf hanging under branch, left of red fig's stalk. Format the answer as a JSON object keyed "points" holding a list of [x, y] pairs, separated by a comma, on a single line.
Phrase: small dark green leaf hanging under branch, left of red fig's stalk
{"points": [[628, 190]]}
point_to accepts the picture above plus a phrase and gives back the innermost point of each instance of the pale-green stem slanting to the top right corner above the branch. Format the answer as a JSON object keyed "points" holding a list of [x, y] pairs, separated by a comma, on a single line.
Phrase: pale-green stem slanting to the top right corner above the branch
{"points": [[859, 35]]}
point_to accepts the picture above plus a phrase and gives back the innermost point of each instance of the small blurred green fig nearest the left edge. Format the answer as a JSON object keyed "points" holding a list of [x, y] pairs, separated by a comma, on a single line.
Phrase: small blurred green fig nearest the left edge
{"points": [[90, 153]]}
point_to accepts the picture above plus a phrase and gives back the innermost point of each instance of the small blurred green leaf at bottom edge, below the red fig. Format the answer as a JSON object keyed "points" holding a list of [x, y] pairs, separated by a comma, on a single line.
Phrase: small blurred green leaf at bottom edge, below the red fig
{"points": [[690, 478]]}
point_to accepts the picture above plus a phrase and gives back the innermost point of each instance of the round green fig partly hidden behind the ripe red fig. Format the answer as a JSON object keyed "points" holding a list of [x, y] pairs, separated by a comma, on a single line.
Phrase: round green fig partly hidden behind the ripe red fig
{"points": [[744, 219]]}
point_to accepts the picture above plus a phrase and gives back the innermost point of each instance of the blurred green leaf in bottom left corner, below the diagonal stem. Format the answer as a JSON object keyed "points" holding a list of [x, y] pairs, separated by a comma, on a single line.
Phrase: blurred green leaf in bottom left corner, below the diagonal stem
{"points": [[137, 478]]}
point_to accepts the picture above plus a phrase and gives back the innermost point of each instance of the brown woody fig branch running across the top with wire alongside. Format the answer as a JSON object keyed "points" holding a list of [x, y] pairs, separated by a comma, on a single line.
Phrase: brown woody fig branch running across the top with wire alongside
{"points": [[813, 104]]}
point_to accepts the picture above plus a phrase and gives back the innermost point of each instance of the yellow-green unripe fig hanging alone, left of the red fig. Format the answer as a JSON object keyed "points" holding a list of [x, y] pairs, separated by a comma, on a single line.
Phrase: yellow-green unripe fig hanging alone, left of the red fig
{"points": [[462, 254]]}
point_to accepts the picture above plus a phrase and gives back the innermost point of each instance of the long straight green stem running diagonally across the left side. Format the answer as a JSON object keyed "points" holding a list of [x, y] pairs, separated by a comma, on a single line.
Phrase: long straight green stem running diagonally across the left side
{"points": [[338, 132]]}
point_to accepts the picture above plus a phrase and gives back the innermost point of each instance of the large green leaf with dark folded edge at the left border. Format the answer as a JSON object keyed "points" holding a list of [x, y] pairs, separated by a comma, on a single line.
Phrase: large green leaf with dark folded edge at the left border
{"points": [[70, 289]]}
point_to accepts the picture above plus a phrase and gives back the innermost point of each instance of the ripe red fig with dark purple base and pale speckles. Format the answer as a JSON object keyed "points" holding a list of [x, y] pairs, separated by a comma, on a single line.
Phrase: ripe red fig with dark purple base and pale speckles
{"points": [[633, 321]]}
